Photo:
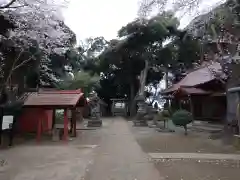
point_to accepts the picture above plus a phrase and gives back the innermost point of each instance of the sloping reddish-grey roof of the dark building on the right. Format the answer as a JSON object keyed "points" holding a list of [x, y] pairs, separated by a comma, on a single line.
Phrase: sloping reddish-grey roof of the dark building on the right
{"points": [[196, 77]]}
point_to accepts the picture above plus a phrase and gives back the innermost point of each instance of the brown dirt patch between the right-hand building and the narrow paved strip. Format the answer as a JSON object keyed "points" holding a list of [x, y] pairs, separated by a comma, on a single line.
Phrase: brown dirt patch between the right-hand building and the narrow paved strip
{"points": [[152, 141]]}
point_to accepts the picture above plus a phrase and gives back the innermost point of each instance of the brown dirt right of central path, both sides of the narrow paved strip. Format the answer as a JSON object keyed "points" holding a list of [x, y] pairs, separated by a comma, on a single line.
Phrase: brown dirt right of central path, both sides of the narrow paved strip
{"points": [[159, 142]]}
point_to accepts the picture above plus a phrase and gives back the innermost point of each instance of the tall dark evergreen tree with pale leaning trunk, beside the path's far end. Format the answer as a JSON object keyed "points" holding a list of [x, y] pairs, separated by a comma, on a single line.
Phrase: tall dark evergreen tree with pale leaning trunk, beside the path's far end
{"points": [[140, 55]]}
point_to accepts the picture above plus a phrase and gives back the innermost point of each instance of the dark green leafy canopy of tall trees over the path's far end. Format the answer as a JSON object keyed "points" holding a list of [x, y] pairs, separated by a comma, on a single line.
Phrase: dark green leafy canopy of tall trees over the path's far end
{"points": [[122, 62]]}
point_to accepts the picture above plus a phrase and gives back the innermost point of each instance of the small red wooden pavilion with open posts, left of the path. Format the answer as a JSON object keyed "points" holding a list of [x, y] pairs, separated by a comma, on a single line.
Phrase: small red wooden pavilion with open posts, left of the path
{"points": [[39, 108]]}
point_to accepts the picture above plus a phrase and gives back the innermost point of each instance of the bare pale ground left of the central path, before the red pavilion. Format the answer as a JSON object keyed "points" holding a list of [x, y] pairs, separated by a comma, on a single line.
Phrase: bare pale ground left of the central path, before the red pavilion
{"points": [[48, 160]]}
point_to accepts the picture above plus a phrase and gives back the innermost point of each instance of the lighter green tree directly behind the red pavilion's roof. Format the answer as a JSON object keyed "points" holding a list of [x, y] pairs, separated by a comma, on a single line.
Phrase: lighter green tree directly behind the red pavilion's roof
{"points": [[81, 66]]}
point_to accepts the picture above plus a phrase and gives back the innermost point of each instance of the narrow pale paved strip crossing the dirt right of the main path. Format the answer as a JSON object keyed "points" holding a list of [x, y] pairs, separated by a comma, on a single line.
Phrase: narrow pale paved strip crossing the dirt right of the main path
{"points": [[194, 156]]}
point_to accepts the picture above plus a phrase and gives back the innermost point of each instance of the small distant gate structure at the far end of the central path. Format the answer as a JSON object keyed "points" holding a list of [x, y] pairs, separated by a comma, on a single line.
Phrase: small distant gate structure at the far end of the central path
{"points": [[119, 107]]}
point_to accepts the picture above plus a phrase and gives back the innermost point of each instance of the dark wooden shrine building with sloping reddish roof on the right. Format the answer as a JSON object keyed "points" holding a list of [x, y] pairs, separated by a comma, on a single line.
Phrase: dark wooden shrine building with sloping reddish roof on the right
{"points": [[201, 93]]}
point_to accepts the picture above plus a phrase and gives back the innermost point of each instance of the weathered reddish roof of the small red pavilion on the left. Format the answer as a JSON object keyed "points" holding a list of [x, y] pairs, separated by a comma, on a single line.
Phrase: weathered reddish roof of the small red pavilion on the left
{"points": [[62, 98]]}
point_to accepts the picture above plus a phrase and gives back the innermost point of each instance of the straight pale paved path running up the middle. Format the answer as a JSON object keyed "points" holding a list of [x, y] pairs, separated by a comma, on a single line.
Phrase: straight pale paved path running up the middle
{"points": [[119, 157]]}
